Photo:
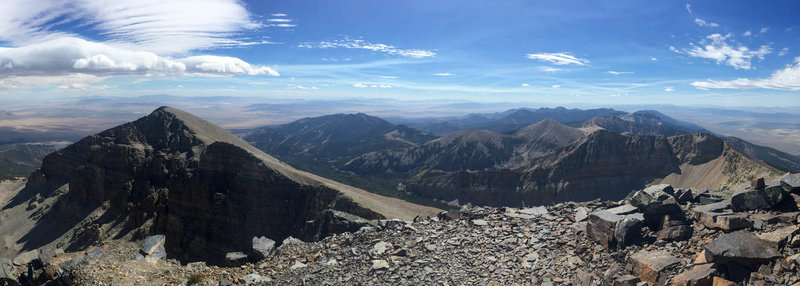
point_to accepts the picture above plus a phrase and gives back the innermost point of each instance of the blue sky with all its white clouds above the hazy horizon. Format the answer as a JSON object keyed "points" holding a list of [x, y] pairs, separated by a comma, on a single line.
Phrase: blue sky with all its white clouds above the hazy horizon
{"points": [[695, 53]]}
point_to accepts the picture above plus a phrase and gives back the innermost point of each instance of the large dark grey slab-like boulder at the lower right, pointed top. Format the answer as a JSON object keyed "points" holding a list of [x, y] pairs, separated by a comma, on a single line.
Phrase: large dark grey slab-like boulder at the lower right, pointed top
{"points": [[742, 247]]}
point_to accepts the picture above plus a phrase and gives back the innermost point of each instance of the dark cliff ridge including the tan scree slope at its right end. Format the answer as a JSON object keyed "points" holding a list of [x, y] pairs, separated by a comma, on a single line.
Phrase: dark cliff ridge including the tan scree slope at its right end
{"points": [[604, 165]]}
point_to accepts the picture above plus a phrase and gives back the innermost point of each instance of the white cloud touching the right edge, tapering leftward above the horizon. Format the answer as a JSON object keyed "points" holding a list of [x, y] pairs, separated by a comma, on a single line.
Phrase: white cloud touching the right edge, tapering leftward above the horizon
{"points": [[785, 79]]}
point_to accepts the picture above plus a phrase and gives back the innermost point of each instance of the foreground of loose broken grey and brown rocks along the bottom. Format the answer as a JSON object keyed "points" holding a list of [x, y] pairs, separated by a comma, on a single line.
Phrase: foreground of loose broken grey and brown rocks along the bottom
{"points": [[658, 236]]}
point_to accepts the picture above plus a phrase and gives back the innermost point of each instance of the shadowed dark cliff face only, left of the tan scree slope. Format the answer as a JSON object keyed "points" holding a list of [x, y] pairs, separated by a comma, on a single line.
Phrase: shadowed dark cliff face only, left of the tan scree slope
{"points": [[602, 165]]}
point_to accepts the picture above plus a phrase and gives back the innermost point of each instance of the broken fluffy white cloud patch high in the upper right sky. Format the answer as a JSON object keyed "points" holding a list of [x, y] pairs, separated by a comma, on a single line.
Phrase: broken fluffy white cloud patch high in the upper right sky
{"points": [[722, 52]]}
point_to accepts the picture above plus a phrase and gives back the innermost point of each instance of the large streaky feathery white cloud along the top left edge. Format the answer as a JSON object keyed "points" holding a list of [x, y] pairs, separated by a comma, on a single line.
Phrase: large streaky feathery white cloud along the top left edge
{"points": [[162, 27]]}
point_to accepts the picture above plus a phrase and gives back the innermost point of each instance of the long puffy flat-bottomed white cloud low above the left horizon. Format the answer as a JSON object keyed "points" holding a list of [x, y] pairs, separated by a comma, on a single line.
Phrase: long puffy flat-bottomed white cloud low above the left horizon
{"points": [[66, 56]]}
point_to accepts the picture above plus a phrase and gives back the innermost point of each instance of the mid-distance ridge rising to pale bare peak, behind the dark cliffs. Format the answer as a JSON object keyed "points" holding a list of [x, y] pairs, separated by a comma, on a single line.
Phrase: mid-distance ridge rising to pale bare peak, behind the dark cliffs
{"points": [[469, 150]]}
